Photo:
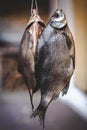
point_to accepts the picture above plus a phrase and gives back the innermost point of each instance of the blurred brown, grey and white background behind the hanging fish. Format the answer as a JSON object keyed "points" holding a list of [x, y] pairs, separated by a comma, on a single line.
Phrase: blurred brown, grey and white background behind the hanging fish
{"points": [[70, 112]]}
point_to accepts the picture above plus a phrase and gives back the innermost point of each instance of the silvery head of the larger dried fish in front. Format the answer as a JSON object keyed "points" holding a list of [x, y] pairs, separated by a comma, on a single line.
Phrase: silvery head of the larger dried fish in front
{"points": [[58, 20]]}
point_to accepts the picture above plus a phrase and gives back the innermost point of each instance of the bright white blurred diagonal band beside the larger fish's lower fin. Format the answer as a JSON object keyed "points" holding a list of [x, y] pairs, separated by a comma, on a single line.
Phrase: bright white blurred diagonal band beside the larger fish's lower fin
{"points": [[76, 100]]}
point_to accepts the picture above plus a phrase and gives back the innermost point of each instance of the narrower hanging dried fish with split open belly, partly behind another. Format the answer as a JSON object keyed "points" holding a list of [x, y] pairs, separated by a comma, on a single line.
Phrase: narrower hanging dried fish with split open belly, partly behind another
{"points": [[26, 54]]}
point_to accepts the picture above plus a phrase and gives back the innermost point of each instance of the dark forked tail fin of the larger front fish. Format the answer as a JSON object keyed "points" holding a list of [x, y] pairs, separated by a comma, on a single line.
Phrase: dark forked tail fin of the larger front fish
{"points": [[40, 112]]}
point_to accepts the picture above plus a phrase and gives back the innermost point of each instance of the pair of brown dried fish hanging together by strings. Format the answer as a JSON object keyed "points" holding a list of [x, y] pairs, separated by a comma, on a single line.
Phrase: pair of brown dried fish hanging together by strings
{"points": [[52, 54]]}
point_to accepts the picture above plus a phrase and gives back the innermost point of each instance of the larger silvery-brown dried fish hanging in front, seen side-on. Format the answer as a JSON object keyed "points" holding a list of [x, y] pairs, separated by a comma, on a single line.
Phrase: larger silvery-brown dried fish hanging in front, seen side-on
{"points": [[55, 61]]}
